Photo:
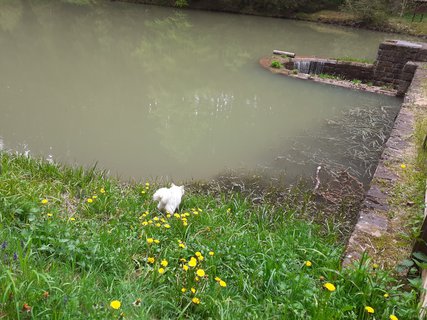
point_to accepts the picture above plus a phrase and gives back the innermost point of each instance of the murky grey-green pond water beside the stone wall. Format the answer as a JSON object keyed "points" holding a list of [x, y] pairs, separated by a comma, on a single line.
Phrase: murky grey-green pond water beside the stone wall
{"points": [[149, 91]]}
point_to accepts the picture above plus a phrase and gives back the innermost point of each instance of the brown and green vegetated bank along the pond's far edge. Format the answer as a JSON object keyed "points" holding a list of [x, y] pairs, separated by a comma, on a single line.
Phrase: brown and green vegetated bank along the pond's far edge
{"points": [[382, 15]]}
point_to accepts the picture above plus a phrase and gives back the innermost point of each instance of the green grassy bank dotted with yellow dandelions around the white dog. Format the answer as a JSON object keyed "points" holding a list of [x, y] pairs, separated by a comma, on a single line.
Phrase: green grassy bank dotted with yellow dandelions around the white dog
{"points": [[70, 257]]}
